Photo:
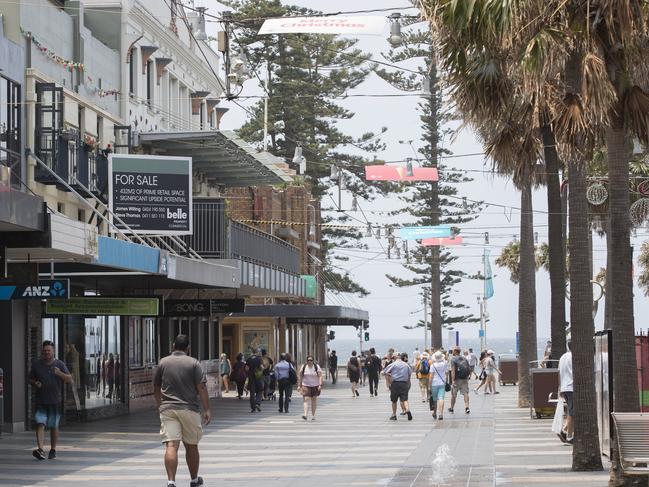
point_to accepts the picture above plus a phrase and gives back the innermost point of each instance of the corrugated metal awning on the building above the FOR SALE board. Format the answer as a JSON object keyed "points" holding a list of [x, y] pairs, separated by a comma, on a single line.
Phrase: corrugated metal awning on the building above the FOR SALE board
{"points": [[221, 156]]}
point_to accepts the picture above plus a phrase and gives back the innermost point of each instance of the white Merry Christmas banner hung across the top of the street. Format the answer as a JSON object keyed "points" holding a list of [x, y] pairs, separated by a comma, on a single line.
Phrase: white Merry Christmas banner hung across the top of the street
{"points": [[338, 24]]}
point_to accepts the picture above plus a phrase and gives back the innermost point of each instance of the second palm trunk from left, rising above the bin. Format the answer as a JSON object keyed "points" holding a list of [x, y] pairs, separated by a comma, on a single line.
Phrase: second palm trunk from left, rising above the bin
{"points": [[556, 246]]}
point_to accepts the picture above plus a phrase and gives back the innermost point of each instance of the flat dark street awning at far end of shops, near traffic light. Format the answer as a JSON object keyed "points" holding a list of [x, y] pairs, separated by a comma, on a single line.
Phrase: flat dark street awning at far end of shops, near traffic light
{"points": [[308, 314]]}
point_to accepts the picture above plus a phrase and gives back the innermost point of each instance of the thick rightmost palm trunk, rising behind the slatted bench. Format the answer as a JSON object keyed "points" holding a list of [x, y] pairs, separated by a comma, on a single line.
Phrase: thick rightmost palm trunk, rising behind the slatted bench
{"points": [[620, 267]]}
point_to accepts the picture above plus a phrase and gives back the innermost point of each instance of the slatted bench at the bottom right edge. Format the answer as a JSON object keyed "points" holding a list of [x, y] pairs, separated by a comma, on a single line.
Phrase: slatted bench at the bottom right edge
{"points": [[633, 442]]}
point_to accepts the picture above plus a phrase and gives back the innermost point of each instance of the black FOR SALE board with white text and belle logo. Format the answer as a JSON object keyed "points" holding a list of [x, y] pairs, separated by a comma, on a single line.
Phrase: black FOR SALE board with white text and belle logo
{"points": [[151, 194]]}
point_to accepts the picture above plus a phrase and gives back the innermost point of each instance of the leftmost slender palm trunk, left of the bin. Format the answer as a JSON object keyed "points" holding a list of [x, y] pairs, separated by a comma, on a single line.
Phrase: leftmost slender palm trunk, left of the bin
{"points": [[526, 295]]}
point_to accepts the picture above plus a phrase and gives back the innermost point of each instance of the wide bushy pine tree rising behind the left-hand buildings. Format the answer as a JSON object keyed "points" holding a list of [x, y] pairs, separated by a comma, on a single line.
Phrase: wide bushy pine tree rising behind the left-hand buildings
{"points": [[306, 75]]}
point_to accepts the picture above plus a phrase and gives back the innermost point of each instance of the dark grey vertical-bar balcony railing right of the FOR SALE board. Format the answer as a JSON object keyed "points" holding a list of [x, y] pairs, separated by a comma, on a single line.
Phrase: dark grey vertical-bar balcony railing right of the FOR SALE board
{"points": [[217, 237]]}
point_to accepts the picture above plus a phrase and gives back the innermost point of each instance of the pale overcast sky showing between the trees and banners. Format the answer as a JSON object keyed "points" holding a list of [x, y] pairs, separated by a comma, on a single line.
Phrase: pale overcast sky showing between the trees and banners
{"points": [[392, 308]]}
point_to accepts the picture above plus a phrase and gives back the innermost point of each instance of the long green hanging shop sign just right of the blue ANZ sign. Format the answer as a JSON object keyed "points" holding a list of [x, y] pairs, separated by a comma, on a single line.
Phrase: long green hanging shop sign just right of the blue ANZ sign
{"points": [[100, 306]]}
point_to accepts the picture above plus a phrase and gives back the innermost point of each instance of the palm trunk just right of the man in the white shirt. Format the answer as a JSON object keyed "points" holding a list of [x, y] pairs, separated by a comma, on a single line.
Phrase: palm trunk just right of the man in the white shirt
{"points": [[585, 453]]}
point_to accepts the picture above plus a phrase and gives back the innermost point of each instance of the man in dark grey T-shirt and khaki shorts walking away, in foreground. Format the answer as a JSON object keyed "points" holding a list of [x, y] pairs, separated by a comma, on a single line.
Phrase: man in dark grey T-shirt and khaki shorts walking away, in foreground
{"points": [[178, 384]]}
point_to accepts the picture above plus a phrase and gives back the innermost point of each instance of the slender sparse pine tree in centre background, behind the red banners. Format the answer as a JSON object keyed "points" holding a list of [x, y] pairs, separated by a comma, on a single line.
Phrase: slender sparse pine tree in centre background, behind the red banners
{"points": [[433, 203]]}
